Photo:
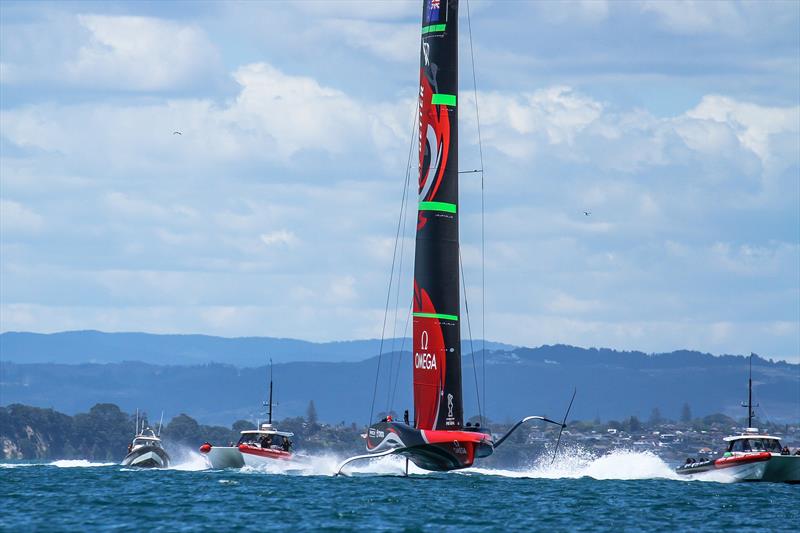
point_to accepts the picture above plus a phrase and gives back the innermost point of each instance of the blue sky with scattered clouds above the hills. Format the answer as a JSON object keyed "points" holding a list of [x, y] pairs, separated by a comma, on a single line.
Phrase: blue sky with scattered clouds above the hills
{"points": [[676, 123]]}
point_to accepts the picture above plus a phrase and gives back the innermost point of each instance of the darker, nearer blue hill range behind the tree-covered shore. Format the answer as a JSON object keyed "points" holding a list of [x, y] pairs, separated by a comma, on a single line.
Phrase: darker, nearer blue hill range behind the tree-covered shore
{"points": [[523, 381]]}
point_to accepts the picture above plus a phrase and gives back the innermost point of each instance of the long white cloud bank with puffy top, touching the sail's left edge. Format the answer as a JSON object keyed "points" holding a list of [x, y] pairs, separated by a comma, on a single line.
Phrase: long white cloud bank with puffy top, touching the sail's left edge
{"points": [[274, 116]]}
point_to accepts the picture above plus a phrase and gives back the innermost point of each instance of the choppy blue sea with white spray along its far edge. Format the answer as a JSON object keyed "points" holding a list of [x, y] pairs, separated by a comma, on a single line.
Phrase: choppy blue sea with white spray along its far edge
{"points": [[620, 491]]}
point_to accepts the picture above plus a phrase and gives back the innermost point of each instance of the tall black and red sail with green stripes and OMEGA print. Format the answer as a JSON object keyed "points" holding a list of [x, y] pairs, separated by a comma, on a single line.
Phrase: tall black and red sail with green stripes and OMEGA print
{"points": [[437, 335]]}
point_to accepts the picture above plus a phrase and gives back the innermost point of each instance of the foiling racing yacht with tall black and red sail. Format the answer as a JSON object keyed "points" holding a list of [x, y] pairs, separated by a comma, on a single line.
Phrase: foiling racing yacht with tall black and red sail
{"points": [[437, 439]]}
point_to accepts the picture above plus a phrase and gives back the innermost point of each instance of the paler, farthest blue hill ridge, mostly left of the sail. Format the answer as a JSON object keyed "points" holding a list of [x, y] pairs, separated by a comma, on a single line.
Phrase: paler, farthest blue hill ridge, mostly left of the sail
{"points": [[73, 347]]}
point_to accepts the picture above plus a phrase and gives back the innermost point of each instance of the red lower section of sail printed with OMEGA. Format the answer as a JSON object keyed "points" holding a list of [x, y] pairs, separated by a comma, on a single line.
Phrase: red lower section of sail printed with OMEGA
{"points": [[429, 362]]}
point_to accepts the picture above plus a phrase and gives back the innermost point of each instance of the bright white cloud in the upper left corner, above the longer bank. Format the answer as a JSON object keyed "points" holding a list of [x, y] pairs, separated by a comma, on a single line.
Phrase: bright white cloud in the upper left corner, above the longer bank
{"points": [[129, 53]]}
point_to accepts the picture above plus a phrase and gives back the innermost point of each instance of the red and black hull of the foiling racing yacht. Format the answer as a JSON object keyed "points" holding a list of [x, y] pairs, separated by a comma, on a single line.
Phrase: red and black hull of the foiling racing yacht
{"points": [[437, 450]]}
